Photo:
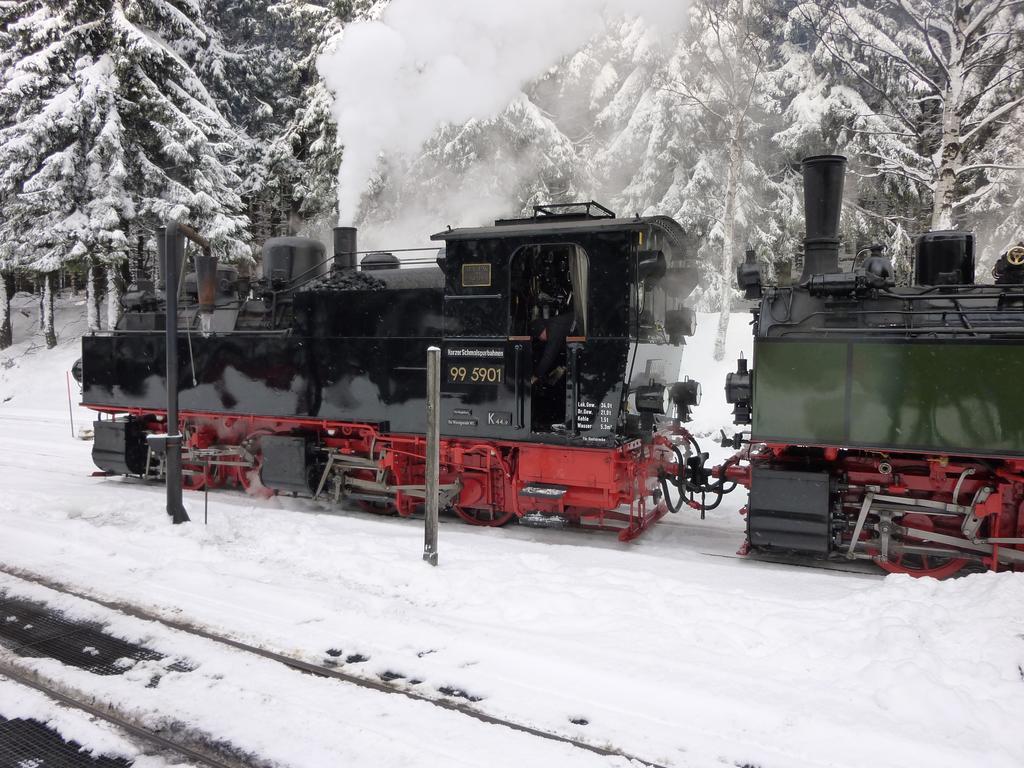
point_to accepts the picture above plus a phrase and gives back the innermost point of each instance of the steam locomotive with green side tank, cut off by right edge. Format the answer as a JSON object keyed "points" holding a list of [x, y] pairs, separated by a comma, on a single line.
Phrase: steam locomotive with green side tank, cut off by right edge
{"points": [[885, 422]]}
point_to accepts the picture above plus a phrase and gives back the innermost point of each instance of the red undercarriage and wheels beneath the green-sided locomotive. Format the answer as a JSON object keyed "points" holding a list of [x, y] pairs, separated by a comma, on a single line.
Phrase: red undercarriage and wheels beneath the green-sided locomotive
{"points": [[911, 514]]}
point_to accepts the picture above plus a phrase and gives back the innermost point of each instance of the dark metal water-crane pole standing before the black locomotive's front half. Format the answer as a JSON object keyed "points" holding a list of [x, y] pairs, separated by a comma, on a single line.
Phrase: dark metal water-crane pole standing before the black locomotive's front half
{"points": [[175, 248]]}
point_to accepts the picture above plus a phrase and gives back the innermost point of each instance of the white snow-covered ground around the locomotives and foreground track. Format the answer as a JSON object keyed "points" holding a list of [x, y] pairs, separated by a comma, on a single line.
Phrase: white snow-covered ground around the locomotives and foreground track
{"points": [[668, 649]]}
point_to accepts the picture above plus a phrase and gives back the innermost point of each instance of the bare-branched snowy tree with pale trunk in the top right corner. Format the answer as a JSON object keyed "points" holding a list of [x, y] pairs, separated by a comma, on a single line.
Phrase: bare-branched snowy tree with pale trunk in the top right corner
{"points": [[945, 86]]}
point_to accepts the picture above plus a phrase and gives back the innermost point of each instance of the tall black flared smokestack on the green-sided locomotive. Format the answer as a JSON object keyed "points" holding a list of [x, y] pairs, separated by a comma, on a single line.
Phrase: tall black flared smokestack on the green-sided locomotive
{"points": [[824, 177]]}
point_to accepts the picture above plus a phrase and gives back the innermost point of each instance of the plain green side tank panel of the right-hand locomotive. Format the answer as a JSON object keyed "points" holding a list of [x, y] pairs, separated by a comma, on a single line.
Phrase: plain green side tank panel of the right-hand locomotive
{"points": [[961, 397]]}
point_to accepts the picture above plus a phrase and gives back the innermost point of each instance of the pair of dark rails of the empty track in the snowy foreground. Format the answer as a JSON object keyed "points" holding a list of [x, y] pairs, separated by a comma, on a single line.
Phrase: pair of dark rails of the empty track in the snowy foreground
{"points": [[207, 755]]}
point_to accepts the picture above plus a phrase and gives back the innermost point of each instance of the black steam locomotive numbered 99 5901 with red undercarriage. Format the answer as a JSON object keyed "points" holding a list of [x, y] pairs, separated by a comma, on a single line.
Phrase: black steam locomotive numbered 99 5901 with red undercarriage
{"points": [[562, 336]]}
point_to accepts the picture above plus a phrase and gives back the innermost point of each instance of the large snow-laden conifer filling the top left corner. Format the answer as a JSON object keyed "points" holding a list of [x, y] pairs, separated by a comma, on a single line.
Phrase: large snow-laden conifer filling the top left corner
{"points": [[108, 126]]}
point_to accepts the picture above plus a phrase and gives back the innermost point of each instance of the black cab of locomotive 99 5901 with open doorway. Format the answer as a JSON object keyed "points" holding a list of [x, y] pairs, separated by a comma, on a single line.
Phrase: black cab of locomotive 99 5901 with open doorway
{"points": [[554, 323]]}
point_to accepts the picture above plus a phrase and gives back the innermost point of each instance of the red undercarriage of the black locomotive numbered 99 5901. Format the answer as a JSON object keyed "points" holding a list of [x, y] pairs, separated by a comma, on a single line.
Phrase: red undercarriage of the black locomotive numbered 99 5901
{"points": [[486, 483]]}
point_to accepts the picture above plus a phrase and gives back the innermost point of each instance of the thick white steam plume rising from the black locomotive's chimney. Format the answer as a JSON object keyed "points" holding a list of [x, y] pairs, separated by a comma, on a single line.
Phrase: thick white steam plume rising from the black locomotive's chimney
{"points": [[428, 63]]}
